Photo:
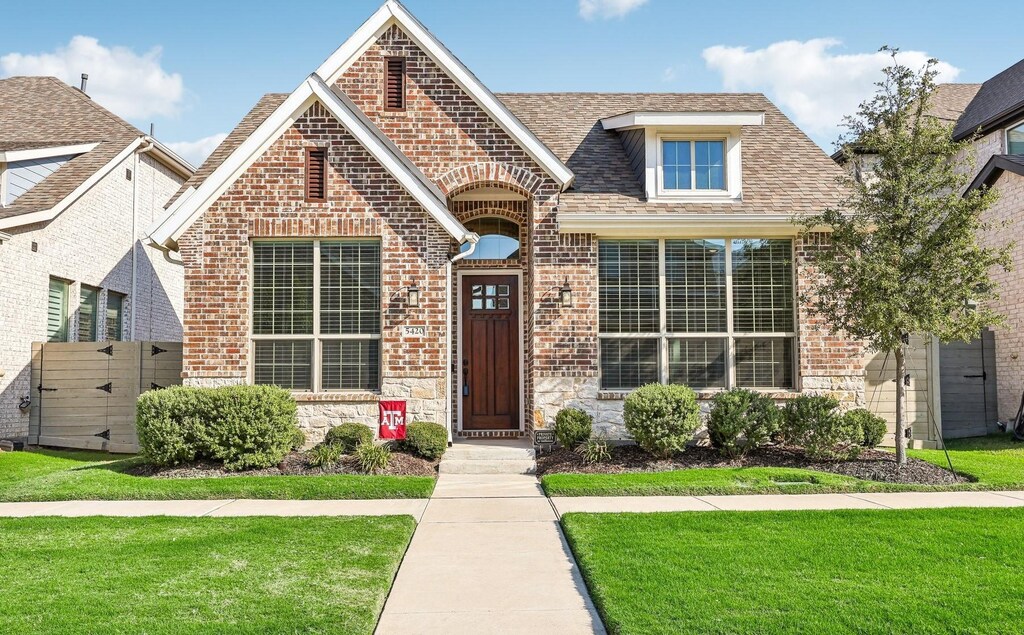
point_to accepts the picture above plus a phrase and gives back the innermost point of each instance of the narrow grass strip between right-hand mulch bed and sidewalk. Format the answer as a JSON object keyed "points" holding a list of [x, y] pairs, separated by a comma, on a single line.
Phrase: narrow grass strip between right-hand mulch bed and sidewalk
{"points": [[995, 463]]}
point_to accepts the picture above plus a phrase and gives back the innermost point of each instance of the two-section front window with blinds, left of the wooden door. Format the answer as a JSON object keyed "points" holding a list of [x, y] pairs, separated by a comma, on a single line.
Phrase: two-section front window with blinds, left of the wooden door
{"points": [[317, 315]]}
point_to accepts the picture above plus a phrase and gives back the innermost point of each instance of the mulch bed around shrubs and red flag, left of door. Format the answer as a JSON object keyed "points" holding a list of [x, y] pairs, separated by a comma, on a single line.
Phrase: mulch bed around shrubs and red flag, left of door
{"points": [[402, 464]]}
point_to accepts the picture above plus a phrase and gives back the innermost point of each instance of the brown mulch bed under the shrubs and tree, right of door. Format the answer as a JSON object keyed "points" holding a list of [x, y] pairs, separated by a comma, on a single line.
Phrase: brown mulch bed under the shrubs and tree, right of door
{"points": [[872, 465]]}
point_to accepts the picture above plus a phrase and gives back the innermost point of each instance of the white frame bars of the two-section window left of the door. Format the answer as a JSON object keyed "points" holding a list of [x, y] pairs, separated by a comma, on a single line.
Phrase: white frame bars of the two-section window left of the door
{"points": [[316, 337]]}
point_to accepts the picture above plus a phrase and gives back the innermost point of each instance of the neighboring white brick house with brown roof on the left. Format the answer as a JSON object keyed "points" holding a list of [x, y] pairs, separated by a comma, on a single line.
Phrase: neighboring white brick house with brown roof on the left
{"points": [[78, 188]]}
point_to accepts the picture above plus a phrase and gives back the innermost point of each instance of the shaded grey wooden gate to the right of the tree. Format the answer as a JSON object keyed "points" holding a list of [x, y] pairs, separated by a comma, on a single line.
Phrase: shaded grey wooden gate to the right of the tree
{"points": [[967, 372]]}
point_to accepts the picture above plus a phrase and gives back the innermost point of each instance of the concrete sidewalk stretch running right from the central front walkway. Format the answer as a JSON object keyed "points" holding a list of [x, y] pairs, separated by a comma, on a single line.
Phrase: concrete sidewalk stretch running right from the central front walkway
{"points": [[783, 502]]}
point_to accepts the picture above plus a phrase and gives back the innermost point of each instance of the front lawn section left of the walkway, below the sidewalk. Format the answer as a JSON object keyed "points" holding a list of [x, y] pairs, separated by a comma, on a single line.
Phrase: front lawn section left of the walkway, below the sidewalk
{"points": [[176, 576]]}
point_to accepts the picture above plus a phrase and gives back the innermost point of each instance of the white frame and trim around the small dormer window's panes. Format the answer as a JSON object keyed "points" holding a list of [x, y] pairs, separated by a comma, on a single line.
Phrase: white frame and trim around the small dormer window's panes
{"points": [[732, 167]]}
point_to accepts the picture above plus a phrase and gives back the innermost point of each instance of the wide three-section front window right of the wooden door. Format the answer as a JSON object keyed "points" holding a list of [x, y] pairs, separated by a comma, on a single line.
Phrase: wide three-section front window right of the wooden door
{"points": [[707, 313]]}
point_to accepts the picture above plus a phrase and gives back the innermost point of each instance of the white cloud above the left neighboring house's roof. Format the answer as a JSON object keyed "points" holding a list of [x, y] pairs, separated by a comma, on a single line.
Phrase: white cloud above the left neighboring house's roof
{"points": [[132, 86]]}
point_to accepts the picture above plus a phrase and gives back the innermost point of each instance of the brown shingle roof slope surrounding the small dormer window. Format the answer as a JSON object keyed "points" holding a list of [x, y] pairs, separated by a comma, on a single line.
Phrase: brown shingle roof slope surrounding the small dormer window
{"points": [[785, 173]]}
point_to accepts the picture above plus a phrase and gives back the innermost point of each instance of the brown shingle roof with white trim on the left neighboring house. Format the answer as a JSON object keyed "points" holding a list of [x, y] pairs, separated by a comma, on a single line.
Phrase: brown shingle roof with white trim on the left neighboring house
{"points": [[44, 112]]}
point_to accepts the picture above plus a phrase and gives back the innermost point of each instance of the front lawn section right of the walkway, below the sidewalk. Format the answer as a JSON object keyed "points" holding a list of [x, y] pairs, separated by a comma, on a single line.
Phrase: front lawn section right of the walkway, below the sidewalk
{"points": [[944, 571]]}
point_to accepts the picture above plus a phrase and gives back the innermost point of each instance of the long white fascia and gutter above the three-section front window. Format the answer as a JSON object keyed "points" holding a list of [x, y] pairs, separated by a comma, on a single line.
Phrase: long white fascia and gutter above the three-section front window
{"points": [[681, 225]]}
